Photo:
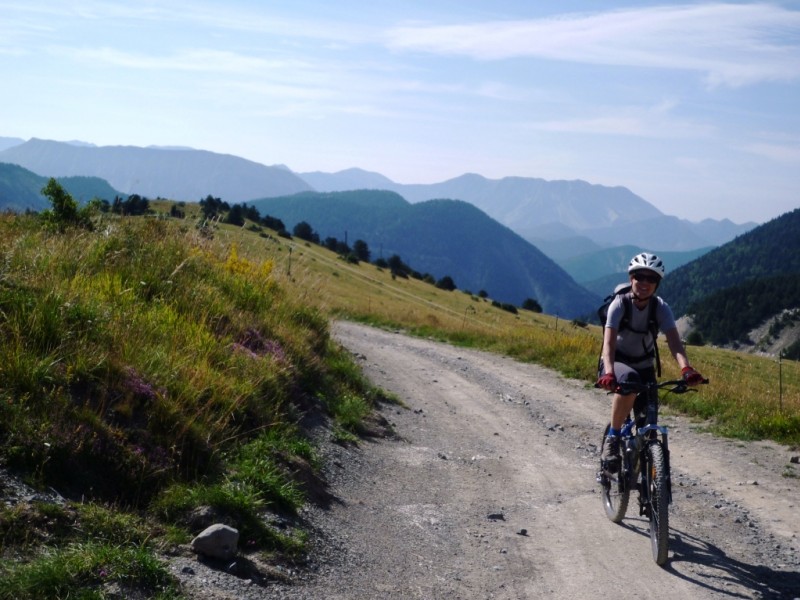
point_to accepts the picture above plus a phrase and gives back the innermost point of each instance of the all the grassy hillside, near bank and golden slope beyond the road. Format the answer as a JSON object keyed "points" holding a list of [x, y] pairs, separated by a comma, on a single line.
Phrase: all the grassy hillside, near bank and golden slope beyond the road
{"points": [[151, 371]]}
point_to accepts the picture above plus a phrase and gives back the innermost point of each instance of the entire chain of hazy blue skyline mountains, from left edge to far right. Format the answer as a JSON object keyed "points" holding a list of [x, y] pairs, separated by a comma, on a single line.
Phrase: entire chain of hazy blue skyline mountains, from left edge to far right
{"points": [[562, 218]]}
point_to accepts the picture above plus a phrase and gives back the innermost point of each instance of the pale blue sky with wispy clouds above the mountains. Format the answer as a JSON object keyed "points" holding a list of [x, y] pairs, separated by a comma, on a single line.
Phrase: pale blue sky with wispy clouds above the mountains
{"points": [[693, 106]]}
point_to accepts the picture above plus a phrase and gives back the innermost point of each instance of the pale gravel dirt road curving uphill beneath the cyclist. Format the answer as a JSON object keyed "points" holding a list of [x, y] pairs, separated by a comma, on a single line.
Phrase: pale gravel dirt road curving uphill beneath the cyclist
{"points": [[489, 492]]}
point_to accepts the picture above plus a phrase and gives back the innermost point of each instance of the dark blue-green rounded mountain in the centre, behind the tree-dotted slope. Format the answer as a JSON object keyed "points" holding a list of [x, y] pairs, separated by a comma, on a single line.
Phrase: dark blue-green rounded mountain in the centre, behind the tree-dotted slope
{"points": [[440, 237]]}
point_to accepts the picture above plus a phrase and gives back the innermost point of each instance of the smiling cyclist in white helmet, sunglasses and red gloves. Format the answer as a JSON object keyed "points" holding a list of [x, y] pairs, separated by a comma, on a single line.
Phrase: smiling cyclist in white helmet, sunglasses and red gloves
{"points": [[629, 349]]}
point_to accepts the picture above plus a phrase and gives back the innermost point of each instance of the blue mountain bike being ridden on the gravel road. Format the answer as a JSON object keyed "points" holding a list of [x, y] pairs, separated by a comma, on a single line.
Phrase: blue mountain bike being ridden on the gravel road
{"points": [[644, 464]]}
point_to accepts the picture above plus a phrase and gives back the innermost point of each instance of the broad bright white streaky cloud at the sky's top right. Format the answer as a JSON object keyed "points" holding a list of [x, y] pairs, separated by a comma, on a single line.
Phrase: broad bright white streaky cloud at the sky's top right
{"points": [[733, 44]]}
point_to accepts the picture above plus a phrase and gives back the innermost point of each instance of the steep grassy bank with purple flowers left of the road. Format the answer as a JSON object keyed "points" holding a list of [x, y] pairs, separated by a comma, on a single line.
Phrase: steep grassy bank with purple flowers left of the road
{"points": [[150, 372]]}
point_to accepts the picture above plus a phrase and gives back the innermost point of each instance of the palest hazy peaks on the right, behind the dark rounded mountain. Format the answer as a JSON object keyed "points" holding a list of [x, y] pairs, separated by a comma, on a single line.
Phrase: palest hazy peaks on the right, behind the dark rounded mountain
{"points": [[562, 218]]}
